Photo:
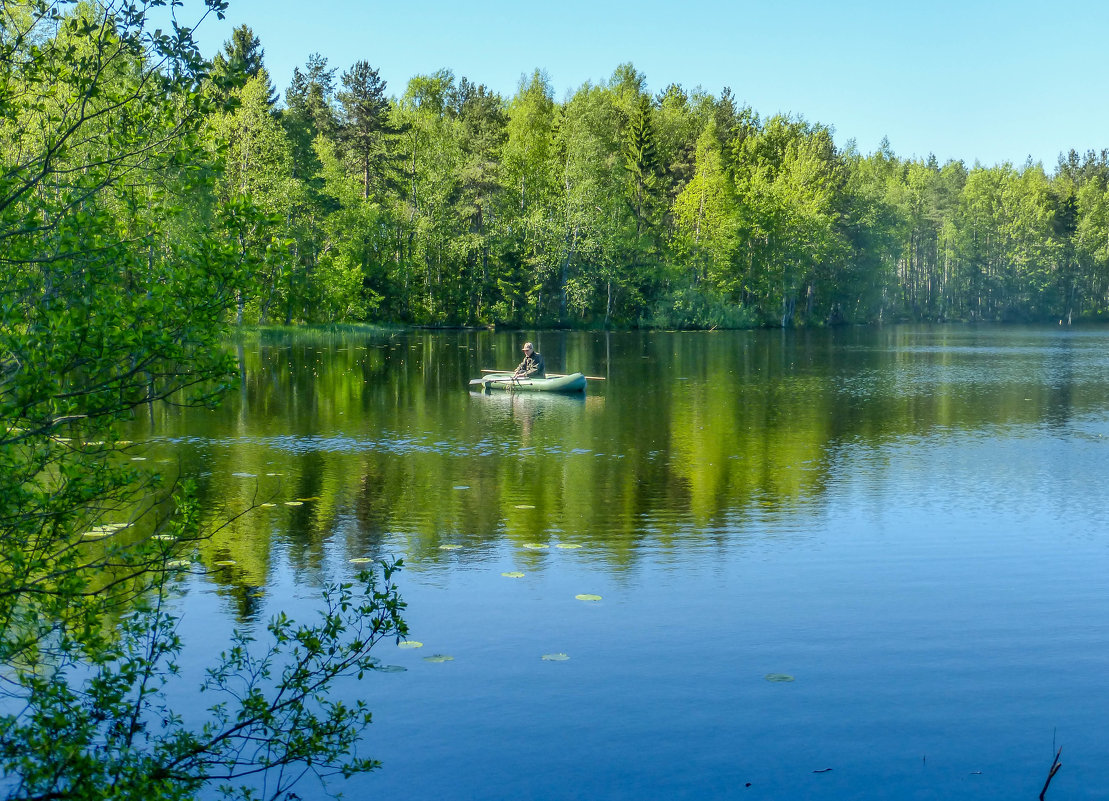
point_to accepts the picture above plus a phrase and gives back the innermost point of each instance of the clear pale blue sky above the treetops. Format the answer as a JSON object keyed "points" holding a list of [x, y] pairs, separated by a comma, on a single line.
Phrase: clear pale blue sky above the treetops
{"points": [[962, 79]]}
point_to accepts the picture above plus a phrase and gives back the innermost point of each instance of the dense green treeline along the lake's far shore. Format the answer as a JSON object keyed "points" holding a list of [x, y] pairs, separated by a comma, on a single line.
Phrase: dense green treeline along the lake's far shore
{"points": [[452, 205]]}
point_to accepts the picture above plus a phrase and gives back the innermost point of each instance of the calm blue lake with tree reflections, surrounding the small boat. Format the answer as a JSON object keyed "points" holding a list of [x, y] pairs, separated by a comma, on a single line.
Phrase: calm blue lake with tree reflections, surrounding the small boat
{"points": [[866, 564]]}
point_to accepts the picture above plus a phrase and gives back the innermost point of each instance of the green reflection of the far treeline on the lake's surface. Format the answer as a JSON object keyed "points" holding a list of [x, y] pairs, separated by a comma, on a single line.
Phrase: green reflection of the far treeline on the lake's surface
{"points": [[362, 444]]}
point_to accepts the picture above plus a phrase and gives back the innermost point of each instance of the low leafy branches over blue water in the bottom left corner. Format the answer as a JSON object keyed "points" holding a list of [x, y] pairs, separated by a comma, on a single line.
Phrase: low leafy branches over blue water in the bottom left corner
{"points": [[98, 714]]}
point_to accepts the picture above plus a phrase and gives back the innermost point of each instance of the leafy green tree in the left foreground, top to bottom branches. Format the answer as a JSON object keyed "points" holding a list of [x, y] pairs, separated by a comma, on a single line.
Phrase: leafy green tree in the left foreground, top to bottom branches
{"points": [[127, 251]]}
